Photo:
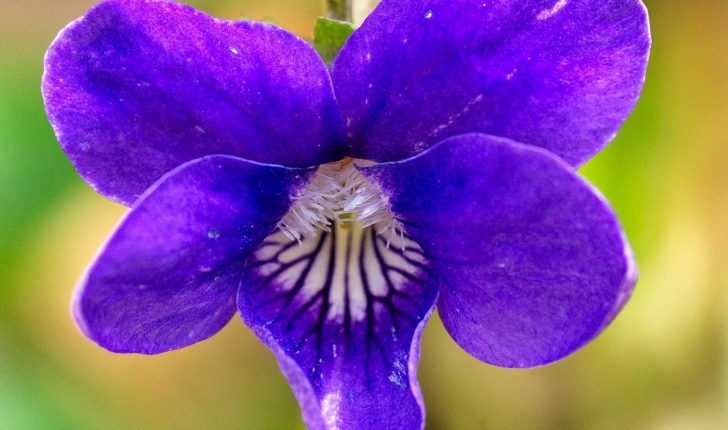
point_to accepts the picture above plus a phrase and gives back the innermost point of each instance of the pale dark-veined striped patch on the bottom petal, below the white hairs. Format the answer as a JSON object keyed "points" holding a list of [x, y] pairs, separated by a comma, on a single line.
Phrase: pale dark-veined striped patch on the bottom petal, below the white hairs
{"points": [[346, 274]]}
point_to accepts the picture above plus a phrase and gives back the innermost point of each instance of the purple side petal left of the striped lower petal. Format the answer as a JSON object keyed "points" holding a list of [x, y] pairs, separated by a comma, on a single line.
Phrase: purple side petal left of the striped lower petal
{"points": [[168, 276]]}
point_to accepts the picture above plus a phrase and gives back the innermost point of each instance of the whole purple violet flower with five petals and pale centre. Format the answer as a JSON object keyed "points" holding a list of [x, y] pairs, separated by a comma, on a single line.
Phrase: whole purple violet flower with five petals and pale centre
{"points": [[212, 130]]}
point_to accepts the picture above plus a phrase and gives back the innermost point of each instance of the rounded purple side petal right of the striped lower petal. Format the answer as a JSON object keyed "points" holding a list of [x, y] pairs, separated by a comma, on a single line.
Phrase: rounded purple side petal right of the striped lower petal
{"points": [[532, 259]]}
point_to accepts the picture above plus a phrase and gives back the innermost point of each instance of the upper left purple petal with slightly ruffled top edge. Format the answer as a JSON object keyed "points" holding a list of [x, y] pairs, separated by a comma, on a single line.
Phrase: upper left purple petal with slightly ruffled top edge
{"points": [[136, 88]]}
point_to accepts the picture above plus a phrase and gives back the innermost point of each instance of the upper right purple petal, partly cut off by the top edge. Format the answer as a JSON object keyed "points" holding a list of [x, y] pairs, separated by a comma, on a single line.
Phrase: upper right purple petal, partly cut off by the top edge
{"points": [[559, 74]]}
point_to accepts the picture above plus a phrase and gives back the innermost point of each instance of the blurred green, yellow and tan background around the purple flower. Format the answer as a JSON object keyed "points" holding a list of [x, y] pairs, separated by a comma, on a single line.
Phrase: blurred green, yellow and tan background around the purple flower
{"points": [[663, 364]]}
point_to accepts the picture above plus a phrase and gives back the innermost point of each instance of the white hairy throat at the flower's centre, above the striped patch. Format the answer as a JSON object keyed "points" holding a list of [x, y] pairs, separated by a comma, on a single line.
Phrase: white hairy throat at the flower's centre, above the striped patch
{"points": [[339, 194]]}
